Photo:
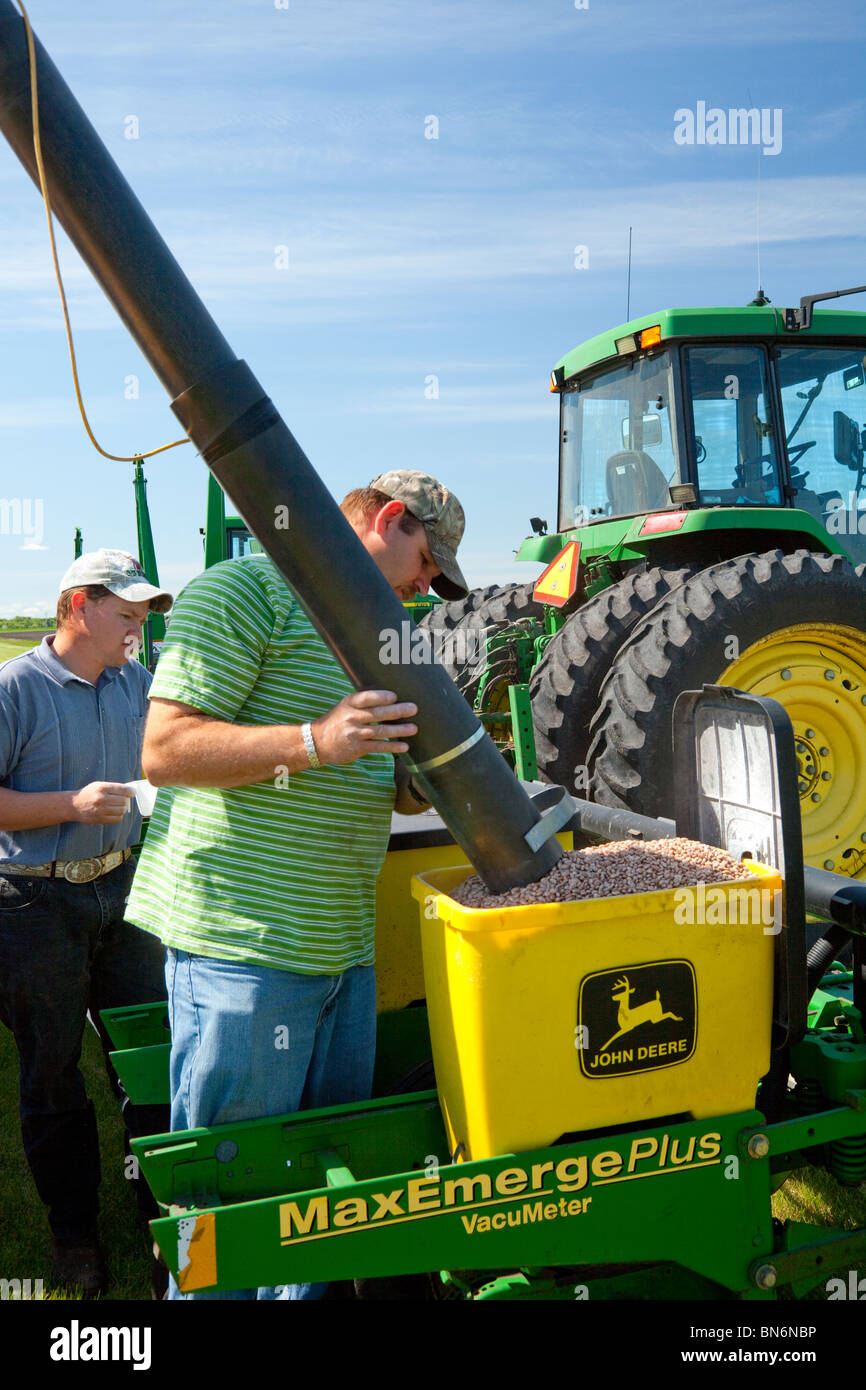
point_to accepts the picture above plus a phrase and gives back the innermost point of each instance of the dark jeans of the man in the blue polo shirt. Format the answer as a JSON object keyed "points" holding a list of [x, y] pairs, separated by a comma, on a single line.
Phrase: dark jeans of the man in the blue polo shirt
{"points": [[66, 950]]}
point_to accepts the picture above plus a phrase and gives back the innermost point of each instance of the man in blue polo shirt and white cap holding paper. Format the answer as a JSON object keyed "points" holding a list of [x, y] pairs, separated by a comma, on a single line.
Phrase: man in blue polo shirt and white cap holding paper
{"points": [[72, 726]]}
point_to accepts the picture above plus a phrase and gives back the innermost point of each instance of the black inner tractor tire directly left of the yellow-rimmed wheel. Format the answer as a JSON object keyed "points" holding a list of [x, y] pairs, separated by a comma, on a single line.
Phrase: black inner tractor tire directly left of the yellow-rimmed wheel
{"points": [[566, 683]]}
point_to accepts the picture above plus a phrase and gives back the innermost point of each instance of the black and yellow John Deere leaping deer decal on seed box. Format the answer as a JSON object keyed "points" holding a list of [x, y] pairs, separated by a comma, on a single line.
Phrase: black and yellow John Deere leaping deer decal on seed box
{"points": [[637, 1018]]}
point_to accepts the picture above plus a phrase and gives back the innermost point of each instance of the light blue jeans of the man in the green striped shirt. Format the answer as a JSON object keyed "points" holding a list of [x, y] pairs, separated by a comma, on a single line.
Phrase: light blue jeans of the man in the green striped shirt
{"points": [[250, 1042]]}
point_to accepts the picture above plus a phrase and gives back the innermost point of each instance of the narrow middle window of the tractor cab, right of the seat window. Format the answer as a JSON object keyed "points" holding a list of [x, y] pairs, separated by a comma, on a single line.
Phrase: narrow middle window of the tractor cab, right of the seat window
{"points": [[736, 450]]}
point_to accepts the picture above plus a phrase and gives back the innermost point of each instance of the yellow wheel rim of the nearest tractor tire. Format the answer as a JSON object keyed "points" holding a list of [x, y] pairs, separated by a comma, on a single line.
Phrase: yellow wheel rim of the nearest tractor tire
{"points": [[819, 675]]}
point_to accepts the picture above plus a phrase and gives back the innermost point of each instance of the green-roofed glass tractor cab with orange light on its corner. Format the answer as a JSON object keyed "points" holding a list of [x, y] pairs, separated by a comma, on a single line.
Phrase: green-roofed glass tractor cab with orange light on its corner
{"points": [[696, 411]]}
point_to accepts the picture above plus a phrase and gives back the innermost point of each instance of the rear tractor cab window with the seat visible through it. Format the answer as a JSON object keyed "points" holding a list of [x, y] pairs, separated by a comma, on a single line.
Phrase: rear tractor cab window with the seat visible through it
{"points": [[616, 452]]}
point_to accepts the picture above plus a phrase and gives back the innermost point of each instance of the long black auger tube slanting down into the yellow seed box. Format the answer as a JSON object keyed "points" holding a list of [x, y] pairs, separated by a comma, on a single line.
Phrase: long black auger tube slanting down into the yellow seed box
{"points": [[256, 461]]}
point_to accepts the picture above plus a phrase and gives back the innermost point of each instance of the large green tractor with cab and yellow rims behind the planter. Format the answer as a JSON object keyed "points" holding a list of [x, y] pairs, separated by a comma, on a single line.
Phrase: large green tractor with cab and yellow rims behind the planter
{"points": [[711, 471]]}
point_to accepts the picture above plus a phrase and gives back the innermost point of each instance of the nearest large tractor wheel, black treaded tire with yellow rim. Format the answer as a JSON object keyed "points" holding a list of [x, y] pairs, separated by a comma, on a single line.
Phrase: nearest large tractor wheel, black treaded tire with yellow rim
{"points": [[792, 628]]}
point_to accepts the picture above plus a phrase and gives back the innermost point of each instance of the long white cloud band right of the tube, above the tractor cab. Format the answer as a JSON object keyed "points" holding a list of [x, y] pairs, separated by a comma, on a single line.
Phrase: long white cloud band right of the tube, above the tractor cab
{"points": [[427, 243]]}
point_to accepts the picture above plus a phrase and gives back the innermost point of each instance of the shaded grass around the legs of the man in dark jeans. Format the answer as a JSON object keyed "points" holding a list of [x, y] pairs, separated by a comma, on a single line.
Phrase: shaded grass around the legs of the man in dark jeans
{"points": [[26, 1245]]}
